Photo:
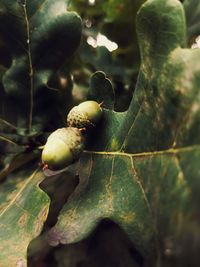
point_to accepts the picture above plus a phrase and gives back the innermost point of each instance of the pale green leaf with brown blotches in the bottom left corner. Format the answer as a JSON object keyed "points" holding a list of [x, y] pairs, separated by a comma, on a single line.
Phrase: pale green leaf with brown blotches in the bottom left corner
{"points": [[23, 210]]}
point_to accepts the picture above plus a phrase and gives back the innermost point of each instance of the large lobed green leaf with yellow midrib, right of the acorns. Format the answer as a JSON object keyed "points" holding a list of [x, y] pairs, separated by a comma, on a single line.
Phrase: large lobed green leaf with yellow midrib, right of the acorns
{"points": [[141, 168]]}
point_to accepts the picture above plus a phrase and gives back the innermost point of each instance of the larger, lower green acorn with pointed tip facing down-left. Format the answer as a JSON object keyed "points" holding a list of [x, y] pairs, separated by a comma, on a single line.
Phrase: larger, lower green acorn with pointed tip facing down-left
{"points": [[62, 148]]}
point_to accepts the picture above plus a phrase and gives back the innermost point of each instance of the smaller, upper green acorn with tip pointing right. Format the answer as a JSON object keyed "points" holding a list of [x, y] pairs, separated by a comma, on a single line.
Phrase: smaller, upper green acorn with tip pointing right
{"points": [[85, 115]]}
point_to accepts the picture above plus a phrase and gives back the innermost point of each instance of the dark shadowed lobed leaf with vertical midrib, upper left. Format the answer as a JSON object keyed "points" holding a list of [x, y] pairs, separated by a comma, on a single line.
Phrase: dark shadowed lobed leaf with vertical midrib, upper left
{"points": [[40, 36]]}
